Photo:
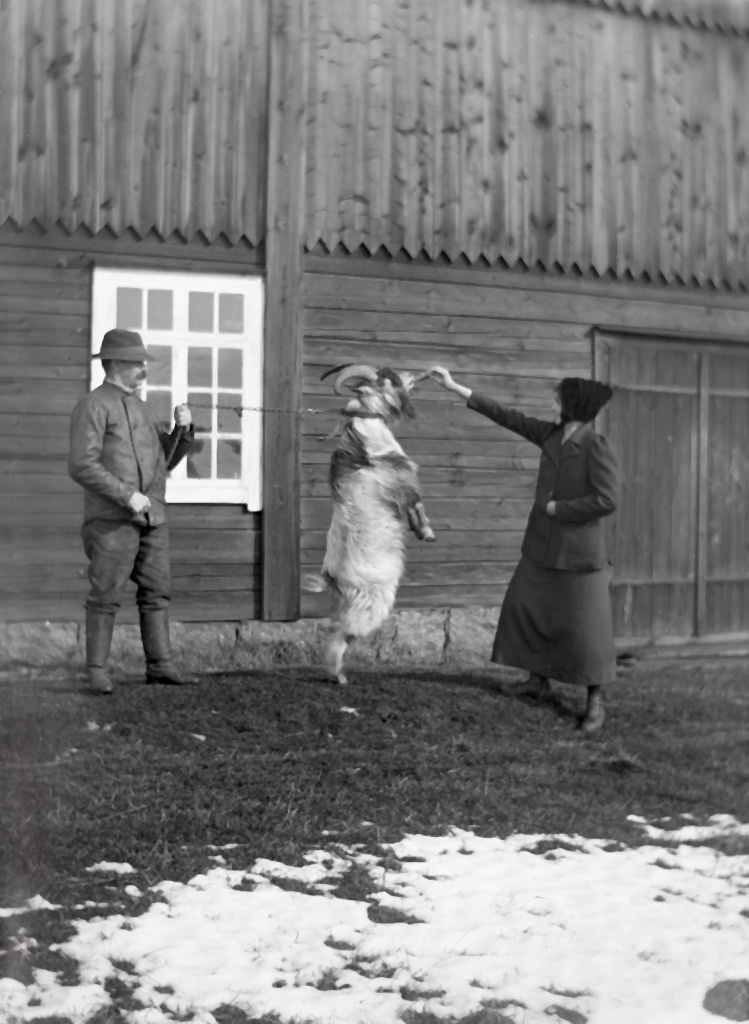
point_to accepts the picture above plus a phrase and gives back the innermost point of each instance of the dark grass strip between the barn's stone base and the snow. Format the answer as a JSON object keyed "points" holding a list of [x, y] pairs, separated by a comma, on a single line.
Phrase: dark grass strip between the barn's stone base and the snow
{"points": [[272, 764]]}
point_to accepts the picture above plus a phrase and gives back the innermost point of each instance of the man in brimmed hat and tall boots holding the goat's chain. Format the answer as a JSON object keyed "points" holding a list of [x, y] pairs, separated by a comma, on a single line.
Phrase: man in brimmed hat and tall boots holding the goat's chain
{"points": [[120, 457]]}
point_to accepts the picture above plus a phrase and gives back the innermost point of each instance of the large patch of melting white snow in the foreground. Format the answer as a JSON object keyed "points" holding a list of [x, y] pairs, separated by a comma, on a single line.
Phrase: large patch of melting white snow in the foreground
{"points": [[552, 926]]}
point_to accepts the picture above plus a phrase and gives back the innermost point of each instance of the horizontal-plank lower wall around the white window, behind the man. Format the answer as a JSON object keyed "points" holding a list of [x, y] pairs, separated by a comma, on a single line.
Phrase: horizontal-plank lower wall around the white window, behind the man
{"points": [[46, 309]]}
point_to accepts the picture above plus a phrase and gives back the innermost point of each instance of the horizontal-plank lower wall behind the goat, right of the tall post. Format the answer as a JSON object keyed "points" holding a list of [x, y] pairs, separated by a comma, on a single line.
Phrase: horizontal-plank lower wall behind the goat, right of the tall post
{"points": [[512, 335]]}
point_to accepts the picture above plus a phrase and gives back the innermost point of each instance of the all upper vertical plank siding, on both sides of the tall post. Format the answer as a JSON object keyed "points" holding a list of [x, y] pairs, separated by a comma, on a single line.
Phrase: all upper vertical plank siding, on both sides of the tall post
{"points": [[550, 133]]}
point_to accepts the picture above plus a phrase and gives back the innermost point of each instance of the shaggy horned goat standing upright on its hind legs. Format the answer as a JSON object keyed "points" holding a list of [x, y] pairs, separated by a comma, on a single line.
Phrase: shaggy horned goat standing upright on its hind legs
{"points": [[376, 493]]}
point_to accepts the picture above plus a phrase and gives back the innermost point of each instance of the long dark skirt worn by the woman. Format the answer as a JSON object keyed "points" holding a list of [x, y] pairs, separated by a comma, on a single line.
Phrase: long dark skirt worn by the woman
{"points": [[558, 624]]}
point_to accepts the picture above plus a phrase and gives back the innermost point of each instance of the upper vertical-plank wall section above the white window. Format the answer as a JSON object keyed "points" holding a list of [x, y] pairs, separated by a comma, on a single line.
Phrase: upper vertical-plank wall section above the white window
{"points": [[144, 114]]}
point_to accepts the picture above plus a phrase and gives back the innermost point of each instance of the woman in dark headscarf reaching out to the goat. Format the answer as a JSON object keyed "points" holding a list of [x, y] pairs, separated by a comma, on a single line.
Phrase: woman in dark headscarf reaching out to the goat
{"points": [[556, 620]]}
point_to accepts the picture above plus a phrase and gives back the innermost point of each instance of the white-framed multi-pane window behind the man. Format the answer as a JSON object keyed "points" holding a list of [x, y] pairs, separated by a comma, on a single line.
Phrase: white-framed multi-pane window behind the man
{"points": [[205, 333]]}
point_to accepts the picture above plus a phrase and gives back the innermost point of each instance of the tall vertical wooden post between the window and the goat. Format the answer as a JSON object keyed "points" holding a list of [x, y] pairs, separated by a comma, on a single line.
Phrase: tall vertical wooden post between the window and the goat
{"points": [[284, 235]]}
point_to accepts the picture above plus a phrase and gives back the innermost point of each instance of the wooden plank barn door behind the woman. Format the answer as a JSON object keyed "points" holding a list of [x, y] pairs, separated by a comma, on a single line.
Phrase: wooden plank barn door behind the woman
{"points": [[680, 541]]}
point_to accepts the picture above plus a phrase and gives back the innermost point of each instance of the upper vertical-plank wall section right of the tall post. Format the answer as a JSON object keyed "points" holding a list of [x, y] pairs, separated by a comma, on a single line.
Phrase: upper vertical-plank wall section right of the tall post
{"points": [[530, 133]]}
